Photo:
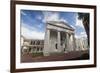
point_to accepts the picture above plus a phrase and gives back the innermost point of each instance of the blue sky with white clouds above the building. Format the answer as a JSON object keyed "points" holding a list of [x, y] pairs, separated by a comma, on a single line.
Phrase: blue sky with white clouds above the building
{"points": [[33, 22]]}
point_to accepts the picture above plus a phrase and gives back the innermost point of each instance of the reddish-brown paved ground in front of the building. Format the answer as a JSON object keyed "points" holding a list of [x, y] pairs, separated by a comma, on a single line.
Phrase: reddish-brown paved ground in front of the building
{"points": [[75, 55]]}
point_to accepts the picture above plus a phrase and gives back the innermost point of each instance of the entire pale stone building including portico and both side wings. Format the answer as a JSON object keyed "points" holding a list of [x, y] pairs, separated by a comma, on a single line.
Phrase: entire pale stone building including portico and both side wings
{"points": [[59, 38]]}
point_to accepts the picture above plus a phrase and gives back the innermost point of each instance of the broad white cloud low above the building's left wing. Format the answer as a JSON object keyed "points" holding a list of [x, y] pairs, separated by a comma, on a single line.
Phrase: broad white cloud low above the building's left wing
{"points": [[31, 34]]}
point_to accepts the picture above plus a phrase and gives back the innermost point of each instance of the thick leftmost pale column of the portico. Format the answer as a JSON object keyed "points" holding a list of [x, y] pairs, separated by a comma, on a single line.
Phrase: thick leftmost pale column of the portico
{"points": [[46, 43]]}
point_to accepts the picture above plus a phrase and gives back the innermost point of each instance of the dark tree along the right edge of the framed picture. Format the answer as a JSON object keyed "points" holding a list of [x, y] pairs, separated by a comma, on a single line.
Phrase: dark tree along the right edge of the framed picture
{"points": [[85, 20]]}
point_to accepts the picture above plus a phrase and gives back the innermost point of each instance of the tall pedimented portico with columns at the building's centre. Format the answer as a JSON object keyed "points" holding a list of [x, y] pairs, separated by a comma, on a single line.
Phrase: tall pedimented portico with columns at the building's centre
{"points": [[59, 38]]}
